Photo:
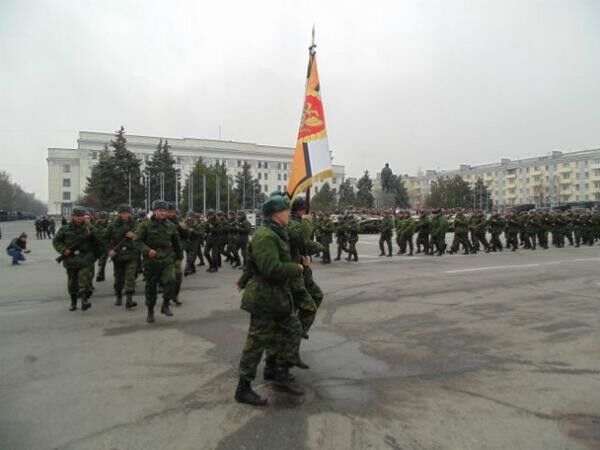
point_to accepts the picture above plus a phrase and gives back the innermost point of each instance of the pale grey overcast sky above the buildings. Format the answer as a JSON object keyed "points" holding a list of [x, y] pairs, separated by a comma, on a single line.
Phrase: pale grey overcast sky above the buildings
{"points": [[417, 83]]}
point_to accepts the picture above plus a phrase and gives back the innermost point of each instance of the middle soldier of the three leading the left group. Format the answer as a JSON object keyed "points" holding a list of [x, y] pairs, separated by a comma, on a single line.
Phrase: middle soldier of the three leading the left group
{"points": [[124, 255]]}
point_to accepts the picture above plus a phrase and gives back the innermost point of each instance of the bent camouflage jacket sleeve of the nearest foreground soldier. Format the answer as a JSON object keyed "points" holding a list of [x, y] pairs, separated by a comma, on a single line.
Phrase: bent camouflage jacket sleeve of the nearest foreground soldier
{"points": [[266, 257]]}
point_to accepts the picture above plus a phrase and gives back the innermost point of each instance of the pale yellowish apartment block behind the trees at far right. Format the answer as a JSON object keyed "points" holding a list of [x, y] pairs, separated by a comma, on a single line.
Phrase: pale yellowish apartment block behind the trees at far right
{"points": [[550, 180]]}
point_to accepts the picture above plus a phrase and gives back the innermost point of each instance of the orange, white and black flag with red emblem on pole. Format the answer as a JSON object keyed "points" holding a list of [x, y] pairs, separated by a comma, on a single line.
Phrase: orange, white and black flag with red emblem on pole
{"points": [[312, 159]]}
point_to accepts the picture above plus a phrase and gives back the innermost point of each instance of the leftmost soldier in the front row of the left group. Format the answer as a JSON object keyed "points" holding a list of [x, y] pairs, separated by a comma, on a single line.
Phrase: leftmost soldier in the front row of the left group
{"points": [[78, 247]]}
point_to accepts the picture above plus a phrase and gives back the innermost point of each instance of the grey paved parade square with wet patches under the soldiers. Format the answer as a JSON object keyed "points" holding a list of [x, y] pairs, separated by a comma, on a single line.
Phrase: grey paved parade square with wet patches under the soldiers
{"points": [[489, 351]]}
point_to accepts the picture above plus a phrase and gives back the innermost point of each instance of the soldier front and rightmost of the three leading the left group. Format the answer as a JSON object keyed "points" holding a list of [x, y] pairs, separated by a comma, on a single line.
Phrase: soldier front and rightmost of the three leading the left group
{"points": [[158, 241]]}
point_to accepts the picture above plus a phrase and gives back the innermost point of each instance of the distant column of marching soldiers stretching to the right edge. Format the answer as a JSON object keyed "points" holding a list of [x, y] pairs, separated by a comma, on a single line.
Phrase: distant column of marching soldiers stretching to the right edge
{"points": [[474, 231]]}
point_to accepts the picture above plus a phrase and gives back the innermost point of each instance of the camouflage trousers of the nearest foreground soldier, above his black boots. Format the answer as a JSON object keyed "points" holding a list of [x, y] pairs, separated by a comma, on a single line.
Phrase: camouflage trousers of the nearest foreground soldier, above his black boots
{"points": [[280, 337]]}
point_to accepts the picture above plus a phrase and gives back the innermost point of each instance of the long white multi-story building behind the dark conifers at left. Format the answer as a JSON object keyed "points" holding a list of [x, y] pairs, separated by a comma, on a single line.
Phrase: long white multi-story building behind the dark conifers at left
{"points": [[69, 168]]}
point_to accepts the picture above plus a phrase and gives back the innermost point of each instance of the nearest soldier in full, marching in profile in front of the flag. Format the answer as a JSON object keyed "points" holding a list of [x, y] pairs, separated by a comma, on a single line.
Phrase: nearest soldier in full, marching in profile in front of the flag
{"points": [[268, 298]]}
